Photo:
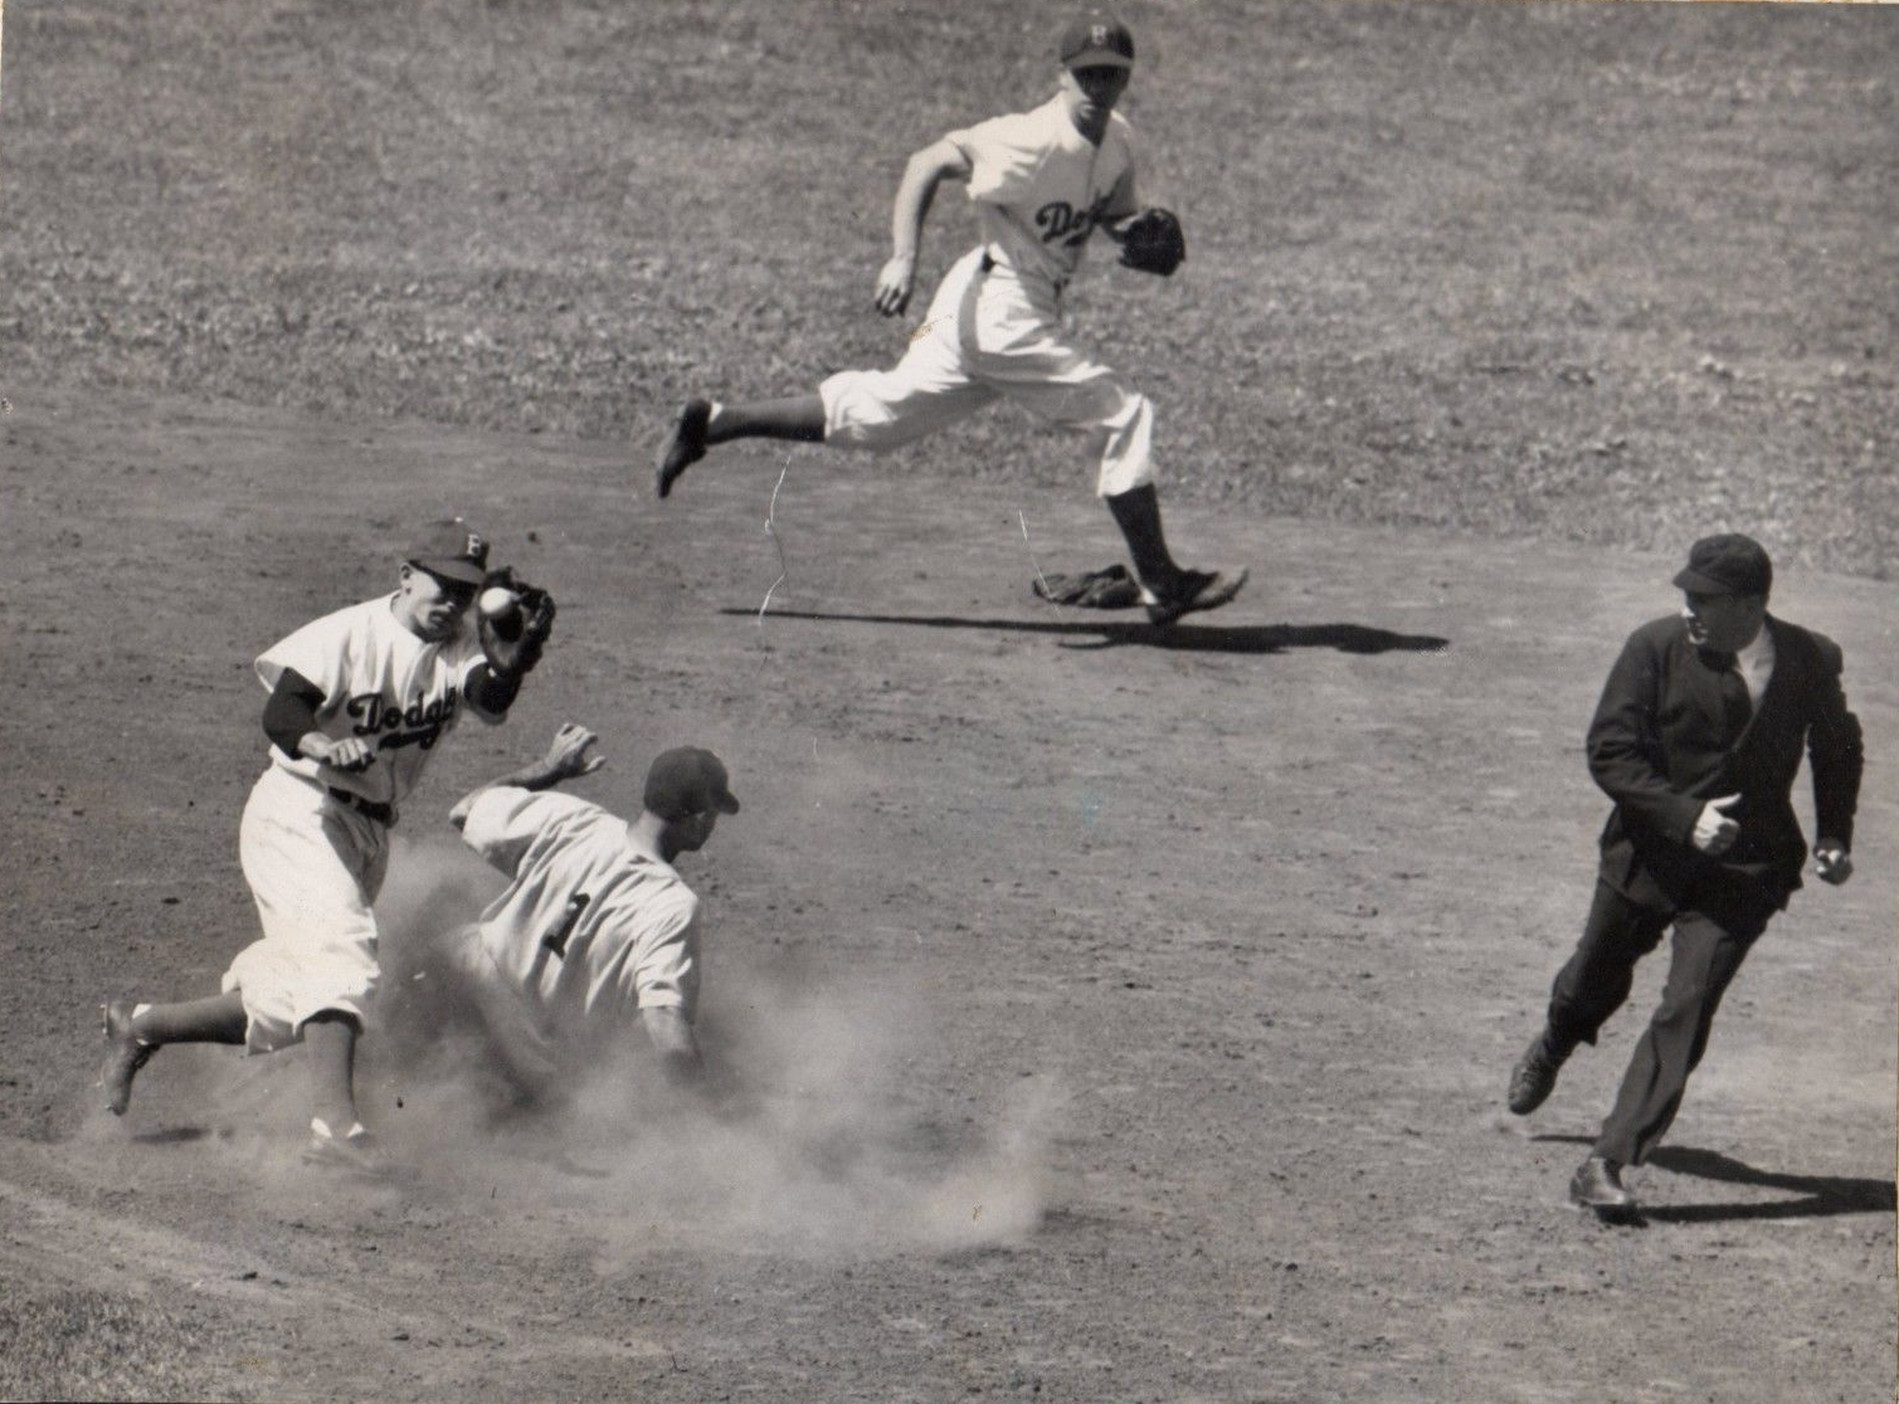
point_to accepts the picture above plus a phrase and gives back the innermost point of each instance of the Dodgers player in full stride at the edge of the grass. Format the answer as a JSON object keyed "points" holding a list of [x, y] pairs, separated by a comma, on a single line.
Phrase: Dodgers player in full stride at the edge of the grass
{"points": [[1044, 181]]}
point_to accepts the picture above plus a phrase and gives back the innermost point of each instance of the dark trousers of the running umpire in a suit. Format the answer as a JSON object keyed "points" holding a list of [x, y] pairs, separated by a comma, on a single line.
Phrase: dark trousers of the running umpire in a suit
{"points": [[1594, 985]]}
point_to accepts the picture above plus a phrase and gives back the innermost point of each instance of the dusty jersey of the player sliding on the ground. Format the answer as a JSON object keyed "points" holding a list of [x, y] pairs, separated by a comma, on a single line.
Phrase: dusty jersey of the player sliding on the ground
{"points": [[592, 922]]}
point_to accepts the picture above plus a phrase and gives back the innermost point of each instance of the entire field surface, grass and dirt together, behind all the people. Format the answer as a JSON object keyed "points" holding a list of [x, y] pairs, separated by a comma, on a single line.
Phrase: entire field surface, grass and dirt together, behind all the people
{"points": [[1118, 1015]]}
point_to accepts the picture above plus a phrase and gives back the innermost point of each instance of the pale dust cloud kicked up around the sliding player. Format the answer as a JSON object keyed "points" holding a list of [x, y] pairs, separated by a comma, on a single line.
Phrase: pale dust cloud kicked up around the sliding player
{"points": [[825, 1126]]}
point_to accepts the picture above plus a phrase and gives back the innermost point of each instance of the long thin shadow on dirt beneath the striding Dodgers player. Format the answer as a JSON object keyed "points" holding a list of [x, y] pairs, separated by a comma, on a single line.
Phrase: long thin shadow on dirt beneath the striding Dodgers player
{"points": [[1180, 637]]}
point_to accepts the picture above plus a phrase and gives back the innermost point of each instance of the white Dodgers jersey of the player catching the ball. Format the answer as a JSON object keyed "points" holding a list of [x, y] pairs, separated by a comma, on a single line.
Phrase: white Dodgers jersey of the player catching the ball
{"points": [[381, 683]]}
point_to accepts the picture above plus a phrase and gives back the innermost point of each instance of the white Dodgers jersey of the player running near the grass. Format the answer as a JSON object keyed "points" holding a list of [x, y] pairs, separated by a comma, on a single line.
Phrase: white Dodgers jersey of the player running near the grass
{"points": [[1042, 187]]}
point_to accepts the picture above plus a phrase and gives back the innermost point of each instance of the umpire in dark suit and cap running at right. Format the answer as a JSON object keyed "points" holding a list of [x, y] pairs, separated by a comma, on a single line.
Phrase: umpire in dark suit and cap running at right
{"points": [[1697, 740]]}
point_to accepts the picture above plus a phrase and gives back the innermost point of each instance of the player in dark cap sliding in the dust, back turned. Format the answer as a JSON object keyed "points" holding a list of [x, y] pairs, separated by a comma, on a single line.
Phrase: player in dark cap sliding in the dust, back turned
{"points": [[595, 930]]}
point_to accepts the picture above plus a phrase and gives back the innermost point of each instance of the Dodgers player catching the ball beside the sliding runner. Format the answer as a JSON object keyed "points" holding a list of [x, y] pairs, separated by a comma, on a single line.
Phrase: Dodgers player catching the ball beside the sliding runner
{"points": [[360, 700]]}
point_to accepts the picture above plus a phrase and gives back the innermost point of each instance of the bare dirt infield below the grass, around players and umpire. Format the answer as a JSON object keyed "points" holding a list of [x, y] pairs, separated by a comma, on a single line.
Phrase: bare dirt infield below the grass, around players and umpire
{"points": [[1129, 1017]]}
